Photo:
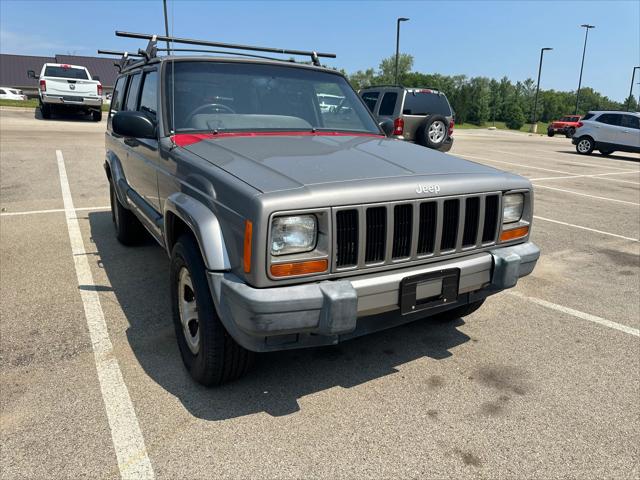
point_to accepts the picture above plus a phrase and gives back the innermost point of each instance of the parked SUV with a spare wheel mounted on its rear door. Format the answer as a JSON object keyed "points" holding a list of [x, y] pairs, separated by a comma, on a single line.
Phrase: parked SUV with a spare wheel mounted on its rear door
{"points": [[420, 115]]}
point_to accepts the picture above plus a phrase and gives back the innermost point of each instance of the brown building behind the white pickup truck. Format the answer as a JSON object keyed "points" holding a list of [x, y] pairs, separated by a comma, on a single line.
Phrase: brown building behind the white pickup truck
{"points": [[13, 70]]}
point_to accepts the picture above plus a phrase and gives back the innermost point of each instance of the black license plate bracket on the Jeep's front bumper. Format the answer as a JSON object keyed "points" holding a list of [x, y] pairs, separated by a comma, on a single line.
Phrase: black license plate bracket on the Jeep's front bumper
{"points": [[410, 301]]}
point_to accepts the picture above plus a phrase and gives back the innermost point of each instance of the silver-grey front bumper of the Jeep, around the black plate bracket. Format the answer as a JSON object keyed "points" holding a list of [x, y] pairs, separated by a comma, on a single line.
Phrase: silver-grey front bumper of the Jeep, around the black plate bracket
{"points": [[326, 312]]}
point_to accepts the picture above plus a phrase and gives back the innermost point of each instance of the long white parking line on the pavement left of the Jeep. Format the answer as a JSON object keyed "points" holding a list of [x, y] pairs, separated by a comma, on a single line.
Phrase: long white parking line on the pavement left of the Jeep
{"points": [[128, 442]]}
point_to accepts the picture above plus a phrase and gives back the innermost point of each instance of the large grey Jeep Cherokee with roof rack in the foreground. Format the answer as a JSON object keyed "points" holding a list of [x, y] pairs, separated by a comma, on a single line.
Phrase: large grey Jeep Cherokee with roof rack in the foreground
{"points": [[290, 225]]}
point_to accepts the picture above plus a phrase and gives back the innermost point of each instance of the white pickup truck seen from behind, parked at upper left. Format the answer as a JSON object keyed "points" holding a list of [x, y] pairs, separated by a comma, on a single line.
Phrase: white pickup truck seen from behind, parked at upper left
{"points": [[68, 87]]}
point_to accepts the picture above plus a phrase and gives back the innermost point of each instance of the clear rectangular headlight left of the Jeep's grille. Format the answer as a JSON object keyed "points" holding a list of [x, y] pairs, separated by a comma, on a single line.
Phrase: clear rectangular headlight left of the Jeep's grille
{"points": [[293, 234]]}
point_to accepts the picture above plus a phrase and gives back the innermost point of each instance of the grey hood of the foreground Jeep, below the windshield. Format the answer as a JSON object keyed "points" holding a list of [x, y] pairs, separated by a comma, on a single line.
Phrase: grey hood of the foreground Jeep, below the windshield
{"points": [[285, 162]]}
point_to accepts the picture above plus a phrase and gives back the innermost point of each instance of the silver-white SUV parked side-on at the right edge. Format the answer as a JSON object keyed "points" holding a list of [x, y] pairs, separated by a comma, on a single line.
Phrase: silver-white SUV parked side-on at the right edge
{"points": [[608, 132]]}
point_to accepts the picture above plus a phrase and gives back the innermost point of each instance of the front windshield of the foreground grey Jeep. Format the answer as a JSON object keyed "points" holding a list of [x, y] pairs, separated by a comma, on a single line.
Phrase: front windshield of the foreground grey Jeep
{"points": [[218, 96]]}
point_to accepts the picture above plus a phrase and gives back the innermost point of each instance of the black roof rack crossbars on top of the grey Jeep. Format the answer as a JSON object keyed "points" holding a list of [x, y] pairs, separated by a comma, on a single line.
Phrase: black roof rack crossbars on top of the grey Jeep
{"points": [[151, 50]]}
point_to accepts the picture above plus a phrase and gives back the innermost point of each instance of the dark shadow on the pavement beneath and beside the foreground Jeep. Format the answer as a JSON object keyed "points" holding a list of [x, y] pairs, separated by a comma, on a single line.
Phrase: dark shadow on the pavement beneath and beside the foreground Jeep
{"points": [[139, 278]]}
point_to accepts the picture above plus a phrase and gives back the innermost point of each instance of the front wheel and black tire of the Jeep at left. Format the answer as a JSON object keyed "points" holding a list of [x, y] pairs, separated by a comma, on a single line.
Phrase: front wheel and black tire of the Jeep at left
{"points": [[209, 353]]}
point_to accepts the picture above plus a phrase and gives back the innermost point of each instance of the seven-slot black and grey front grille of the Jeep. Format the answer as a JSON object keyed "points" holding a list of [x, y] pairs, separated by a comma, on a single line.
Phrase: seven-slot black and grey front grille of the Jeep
{"points": [[367, 236]]}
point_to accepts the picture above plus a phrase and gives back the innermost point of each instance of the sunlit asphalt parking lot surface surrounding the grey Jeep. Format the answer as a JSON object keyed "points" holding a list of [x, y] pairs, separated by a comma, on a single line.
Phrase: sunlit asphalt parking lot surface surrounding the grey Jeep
{"points": [[543, 382]]}
